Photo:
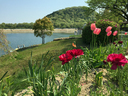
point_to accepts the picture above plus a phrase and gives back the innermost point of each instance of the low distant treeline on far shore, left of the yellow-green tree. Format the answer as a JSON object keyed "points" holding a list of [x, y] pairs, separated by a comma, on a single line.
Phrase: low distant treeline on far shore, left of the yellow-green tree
{"points": [[16, 26]]}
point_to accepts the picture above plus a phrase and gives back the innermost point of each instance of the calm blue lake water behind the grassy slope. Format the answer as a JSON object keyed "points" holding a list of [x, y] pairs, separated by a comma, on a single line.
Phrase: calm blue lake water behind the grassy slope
{"points": [[29, 39]]}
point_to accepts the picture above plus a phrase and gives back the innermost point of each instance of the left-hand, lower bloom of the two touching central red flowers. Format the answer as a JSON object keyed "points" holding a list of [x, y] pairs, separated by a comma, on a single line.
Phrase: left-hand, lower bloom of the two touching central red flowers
{"points": [[65, 58]]}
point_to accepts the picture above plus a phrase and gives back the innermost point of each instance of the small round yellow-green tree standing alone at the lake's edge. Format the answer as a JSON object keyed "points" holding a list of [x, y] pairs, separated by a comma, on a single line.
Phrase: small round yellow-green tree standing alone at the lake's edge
{"points": [[43, 27]]}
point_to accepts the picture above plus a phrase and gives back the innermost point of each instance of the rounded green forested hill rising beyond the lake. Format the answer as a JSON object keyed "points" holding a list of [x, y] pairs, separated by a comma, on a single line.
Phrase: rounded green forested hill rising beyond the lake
{"points": [[72, 17]]}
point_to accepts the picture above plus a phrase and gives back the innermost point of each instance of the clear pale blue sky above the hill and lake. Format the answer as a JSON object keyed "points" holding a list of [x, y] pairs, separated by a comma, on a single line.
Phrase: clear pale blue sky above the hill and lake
{"points": [[19, 11]]}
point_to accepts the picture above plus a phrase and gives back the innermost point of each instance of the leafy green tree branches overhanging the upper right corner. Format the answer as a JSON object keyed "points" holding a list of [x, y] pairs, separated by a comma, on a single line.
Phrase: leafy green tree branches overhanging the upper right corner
{"points": [[116, 7]]}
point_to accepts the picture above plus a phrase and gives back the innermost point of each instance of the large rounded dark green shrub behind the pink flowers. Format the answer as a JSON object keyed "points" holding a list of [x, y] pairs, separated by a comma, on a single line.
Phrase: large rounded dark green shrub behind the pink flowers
{"points": [[87, 33]]}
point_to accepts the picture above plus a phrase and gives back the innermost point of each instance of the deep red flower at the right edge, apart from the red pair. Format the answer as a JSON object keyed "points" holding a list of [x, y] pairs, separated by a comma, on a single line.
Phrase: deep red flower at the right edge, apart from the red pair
{"points": [[116, 60]]}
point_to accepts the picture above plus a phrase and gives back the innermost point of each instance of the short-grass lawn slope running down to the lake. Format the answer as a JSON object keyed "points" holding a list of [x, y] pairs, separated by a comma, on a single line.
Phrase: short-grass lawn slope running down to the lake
{"points": [[16, 60]]}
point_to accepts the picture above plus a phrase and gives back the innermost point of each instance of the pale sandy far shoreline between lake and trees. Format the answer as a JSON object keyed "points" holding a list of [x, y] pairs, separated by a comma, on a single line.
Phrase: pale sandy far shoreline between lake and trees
{"points": [[66, 30]]}
